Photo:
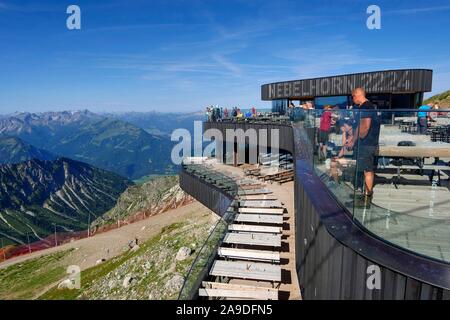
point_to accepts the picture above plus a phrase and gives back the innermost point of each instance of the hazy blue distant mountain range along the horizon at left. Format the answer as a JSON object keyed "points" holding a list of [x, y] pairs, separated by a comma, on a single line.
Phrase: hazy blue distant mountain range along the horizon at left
{"points": [[108, 143]]}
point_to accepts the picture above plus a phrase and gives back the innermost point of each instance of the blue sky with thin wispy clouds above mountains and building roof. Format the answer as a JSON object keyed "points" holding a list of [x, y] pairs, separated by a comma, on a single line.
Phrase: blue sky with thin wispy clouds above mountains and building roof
{"points": [[182, 55]]}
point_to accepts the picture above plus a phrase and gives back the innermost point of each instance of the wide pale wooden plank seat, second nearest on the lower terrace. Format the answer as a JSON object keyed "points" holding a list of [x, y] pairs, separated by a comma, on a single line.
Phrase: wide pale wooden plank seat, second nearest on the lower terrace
{"points": [[246, 270]]}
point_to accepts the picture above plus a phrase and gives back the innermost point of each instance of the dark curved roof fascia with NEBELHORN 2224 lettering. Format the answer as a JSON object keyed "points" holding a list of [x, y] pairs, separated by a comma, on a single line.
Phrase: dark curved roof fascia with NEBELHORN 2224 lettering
{"points": [[389, 81]]}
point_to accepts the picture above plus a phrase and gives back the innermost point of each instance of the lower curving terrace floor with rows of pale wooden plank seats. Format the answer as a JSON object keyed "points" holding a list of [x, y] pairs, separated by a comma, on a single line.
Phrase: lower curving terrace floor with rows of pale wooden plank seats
{"points": [[256, 250]]}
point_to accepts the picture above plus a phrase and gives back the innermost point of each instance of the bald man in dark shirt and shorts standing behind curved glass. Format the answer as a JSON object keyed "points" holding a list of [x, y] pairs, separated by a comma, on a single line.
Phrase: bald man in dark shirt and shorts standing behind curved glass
{"points": [[365, 144]]}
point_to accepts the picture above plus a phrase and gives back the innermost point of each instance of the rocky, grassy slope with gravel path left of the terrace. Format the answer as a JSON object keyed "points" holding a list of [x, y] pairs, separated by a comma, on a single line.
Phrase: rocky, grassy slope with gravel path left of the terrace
{"points": [[114, 266]]}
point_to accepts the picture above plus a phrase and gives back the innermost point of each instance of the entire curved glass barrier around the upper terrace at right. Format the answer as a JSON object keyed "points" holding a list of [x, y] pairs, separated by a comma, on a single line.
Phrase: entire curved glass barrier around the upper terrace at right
{"points": [[389, 168]]}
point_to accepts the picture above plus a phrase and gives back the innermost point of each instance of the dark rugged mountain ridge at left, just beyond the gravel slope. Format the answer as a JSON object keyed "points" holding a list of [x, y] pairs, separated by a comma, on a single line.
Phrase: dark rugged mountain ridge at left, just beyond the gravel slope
{"points": [[36, 194]]}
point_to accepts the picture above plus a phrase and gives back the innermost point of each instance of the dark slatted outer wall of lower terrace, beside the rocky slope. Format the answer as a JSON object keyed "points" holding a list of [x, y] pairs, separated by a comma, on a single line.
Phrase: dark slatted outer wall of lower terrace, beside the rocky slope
{"points": [[207, 194]]}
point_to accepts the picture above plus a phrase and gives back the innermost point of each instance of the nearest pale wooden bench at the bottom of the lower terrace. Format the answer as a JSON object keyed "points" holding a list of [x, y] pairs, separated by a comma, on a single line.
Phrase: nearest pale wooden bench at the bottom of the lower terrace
{"points": [[238, 291]]}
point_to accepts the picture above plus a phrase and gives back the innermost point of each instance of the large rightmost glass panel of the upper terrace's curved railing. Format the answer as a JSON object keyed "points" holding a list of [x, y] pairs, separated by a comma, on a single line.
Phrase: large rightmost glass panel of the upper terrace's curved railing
{"points": [[410, 204]]}
